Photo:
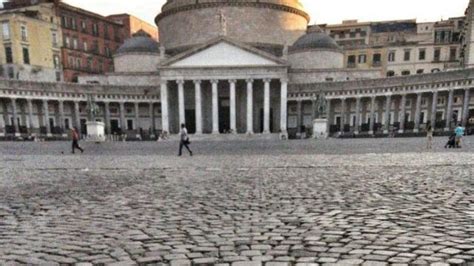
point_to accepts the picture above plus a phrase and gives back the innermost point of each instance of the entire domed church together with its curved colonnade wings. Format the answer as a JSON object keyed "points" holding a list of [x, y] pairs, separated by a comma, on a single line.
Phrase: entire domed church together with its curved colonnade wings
{"points": [[220, 70]]}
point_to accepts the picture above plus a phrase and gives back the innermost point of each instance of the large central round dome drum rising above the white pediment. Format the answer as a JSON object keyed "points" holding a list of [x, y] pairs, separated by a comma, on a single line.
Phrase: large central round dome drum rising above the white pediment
{"points": [[263, 23]]}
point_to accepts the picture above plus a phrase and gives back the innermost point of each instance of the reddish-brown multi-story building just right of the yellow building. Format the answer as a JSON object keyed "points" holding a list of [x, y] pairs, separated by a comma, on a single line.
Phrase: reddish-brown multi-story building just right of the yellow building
{"points": [[88, 39]]}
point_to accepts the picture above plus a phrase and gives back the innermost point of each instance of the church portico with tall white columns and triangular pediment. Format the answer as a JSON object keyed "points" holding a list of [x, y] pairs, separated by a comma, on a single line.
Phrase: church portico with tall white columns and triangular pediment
{"points": [[216, 95]]}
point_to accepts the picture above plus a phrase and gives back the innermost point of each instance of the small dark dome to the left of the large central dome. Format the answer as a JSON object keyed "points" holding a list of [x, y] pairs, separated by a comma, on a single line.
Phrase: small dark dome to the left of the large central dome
{"points": [[141, 42]]}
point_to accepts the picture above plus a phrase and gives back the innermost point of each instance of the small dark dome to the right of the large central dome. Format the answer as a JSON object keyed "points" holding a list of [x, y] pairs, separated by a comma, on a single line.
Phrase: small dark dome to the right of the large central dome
{"points": [[315, 39]]}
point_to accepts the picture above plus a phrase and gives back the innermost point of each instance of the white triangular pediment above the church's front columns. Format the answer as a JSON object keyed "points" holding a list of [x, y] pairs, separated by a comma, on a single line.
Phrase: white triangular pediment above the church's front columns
{"points": [[223, 53]]}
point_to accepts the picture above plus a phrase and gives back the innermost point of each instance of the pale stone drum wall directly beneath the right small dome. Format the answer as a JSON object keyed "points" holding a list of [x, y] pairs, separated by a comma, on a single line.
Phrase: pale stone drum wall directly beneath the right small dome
{"points": [[317, 59]]}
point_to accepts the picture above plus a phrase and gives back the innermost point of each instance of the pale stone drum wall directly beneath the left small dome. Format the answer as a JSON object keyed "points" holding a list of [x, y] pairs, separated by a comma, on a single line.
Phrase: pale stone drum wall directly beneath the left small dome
{"points": [[137, 62]]}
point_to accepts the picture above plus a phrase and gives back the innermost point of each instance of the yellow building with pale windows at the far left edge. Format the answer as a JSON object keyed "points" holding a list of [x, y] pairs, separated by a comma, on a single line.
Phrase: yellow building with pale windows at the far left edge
{"points": [[31, 41]]}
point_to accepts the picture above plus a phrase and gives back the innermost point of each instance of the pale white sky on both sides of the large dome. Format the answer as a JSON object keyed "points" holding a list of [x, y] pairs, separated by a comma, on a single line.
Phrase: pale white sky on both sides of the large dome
{"points": [[321, 11]]}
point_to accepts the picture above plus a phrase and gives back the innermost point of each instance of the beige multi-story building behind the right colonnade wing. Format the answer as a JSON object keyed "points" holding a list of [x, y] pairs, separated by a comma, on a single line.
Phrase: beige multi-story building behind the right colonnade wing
{"points": [[399, 48]]}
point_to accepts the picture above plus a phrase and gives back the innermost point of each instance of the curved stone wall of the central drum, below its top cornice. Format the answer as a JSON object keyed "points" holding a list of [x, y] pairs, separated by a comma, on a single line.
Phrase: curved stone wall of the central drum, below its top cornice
{"points": [[247, 24]]}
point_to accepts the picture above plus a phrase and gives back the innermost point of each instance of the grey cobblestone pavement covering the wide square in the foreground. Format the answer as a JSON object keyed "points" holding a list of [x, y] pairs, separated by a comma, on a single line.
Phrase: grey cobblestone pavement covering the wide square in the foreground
{"points": [[291, 203]]}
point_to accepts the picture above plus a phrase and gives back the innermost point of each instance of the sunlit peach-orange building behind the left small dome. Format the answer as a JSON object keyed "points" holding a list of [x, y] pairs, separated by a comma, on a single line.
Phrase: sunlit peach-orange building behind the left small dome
{"points": [[133, 25]]}
